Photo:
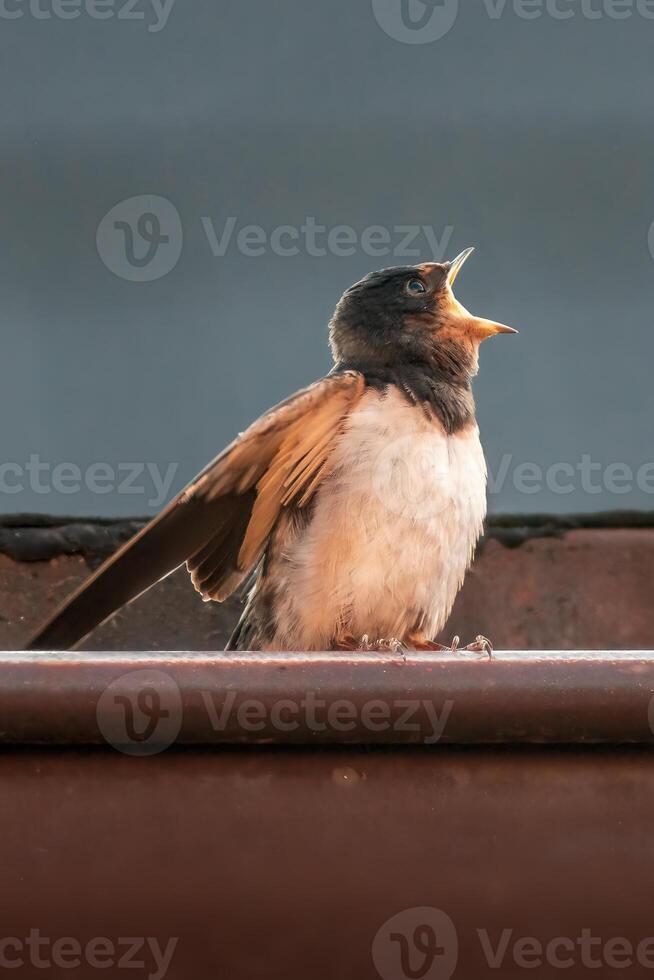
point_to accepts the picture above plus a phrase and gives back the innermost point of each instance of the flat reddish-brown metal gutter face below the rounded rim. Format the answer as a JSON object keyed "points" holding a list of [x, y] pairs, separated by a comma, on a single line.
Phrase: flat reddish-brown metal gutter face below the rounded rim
{"points": [[293, 864]]}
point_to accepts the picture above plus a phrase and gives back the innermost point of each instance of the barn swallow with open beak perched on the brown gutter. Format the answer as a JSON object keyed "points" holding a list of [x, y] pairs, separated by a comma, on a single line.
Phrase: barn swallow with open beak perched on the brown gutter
{"points": [[351, 511]]}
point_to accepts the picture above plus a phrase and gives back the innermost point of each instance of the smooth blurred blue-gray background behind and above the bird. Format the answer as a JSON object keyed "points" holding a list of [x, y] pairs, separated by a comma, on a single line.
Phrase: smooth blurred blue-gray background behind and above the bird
{"points": [[529, 138]]}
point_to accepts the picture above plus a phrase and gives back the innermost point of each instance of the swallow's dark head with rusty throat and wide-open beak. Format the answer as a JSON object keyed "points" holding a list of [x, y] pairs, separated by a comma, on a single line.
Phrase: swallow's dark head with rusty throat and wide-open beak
{"points": [[410, 314]]}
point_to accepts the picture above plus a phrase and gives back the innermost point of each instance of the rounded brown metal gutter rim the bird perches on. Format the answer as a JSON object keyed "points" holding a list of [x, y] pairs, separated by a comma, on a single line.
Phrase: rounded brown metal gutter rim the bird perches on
{"points": [[144, 703]]}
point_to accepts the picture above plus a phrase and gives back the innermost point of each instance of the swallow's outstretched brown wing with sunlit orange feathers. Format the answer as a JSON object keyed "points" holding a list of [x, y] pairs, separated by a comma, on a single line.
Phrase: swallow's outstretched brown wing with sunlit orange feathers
{"points": [[220, 523]]}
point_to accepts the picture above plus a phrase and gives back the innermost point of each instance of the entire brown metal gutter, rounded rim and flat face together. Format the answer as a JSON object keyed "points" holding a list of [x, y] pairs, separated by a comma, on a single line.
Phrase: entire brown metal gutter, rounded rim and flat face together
{"points": [[331, 861]]}
